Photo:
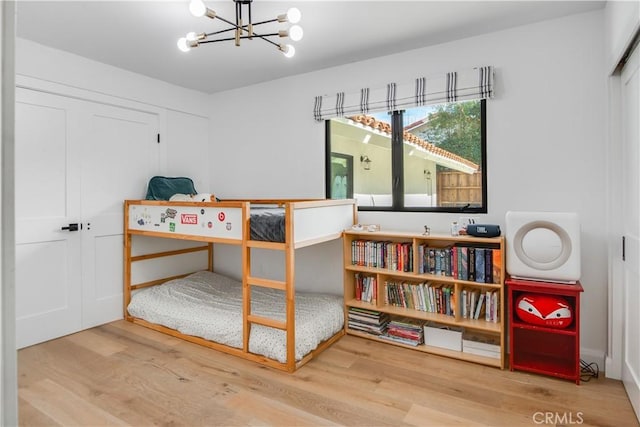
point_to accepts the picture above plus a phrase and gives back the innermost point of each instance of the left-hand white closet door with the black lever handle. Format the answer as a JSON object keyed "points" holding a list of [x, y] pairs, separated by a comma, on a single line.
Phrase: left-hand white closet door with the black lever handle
{"points": [[48, 275]]}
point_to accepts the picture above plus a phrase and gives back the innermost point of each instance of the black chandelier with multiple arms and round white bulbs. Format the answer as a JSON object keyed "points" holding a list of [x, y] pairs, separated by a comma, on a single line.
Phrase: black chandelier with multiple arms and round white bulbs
{"points": [[242, 29]]}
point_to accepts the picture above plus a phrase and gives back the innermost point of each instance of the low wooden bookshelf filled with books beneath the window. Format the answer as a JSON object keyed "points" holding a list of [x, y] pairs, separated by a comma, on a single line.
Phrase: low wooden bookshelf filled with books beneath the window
{"points": [[373, 257]]}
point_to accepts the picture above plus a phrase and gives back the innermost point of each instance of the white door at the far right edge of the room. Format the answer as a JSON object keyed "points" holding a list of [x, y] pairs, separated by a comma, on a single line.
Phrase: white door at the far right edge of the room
{"points": [[631, 228]]}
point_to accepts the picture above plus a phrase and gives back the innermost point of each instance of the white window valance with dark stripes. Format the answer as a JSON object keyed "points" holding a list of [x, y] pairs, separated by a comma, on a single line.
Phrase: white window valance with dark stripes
{"points": [[476, 83]]}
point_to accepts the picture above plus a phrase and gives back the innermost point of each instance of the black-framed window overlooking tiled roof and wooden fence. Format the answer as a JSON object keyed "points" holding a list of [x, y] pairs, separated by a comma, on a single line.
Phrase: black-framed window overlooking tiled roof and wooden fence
{"points": [[430, 158]]}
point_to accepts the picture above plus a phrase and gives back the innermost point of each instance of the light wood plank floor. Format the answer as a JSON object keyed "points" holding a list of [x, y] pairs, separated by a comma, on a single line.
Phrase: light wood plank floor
{"points": [[124, 374]]}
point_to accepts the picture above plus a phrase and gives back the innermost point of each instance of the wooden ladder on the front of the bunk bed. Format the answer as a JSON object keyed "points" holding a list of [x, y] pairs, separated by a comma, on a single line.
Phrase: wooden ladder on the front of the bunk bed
{"points": [[287, 286]]}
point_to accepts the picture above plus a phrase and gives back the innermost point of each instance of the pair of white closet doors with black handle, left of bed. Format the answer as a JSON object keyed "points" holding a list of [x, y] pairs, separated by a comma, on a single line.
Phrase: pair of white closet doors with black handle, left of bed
{"points": [[76, 161]]}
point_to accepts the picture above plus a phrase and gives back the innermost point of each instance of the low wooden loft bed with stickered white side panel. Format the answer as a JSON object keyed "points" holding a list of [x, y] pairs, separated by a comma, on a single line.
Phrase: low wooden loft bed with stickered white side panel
{"points": [[306, 222]]}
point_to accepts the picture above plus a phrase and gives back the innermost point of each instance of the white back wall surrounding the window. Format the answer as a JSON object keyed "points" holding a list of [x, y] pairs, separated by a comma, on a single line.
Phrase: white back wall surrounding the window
{"points": [[545, 129]]}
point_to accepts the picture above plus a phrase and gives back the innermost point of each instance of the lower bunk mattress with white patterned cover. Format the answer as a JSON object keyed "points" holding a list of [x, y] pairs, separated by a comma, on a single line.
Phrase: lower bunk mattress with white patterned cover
{"points": [[209, 305]]}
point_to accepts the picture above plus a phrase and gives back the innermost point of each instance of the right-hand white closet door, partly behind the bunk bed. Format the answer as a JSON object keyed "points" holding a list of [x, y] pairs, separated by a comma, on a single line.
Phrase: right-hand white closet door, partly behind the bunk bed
{"points": [[119, 156]]}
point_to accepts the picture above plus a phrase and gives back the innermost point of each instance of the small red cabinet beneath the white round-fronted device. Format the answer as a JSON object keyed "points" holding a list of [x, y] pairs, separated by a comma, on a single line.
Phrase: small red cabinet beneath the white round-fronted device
{"points": [[538, 347]]}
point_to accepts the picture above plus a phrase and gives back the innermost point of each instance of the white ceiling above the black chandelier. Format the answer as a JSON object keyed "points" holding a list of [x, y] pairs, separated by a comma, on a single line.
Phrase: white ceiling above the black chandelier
{"points": [[140, 36]]}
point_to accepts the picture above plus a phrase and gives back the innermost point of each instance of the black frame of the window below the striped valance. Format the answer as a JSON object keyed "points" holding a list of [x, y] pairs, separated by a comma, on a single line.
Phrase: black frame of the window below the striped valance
{"points": [[397, 169]]}
